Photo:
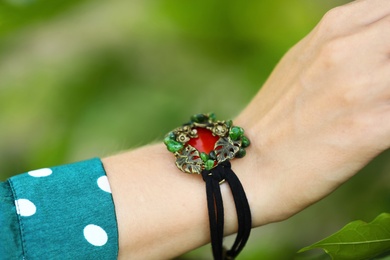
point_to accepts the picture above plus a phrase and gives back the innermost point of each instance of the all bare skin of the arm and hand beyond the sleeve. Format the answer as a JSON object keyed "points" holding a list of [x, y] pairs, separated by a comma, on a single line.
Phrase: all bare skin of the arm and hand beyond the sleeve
{"points": [[322, 115]]}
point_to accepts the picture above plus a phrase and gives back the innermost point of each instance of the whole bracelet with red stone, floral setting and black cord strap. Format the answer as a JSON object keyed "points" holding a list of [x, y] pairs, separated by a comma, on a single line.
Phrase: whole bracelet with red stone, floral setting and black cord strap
{"points": [[205, 146]]}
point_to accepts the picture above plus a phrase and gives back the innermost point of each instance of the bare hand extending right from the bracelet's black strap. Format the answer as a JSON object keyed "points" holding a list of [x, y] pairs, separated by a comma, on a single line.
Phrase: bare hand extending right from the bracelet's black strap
{"points": [[323, 114]]}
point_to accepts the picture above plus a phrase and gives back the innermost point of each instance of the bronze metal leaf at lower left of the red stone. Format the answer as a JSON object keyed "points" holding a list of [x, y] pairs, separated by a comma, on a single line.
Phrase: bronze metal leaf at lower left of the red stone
{"points": [[189, 160]]}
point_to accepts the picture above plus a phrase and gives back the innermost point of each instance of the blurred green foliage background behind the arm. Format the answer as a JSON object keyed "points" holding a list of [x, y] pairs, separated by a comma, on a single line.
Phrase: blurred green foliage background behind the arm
{"points": [[84, 78]]}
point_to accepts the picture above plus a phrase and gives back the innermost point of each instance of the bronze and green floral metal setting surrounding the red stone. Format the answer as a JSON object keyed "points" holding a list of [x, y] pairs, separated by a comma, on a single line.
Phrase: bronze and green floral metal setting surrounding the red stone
{"points": [[231, 143]]}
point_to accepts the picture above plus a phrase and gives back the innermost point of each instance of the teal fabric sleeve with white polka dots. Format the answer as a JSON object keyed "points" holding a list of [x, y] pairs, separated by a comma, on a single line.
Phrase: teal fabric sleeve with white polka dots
{"points": [[64, 212]]}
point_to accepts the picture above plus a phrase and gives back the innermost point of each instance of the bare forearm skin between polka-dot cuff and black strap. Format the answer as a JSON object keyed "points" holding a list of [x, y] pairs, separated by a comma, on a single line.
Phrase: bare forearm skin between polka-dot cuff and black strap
{"points": [[157, 206]]}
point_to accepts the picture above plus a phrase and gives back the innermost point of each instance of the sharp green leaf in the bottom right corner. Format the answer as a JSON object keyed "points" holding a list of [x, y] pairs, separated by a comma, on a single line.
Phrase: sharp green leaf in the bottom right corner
{"points": [[357, 240]]}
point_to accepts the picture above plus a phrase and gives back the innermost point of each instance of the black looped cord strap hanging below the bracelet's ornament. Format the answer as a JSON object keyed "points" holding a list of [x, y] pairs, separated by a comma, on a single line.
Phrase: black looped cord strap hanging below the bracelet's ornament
{"points": [[213, 178]]}
